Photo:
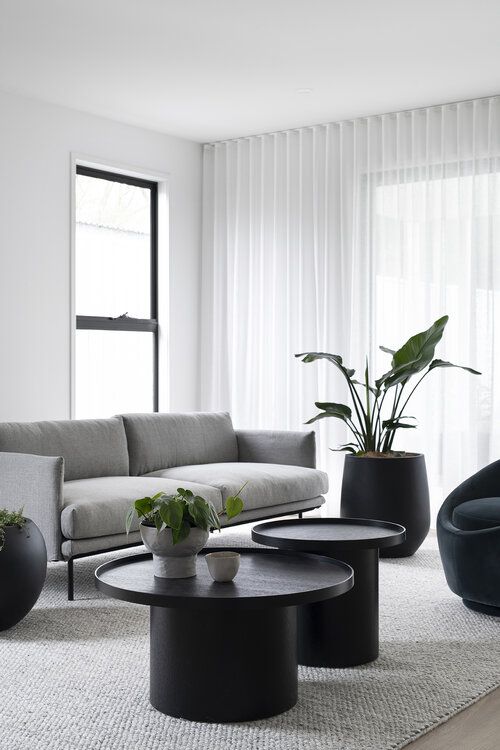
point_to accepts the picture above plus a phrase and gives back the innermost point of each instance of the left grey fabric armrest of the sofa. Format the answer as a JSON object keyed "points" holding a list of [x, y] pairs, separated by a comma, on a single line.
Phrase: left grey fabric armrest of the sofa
{"points": [[35, 483]]}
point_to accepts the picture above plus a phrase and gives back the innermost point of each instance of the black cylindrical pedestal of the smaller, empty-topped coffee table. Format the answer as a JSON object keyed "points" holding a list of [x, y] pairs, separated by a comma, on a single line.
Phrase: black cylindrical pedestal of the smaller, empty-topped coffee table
{"points": [[343, 632]]}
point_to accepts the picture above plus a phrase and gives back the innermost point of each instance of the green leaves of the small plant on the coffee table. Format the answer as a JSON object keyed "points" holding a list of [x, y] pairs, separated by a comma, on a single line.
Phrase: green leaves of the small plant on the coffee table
{"points": [[181, 512]]}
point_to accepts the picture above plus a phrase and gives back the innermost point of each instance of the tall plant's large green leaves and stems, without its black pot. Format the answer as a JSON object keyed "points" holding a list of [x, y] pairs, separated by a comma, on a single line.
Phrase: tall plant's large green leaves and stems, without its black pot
{"points": [[375, 416]]}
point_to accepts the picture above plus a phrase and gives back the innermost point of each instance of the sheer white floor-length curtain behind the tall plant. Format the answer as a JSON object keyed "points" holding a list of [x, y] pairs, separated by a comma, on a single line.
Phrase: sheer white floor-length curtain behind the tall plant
{"points": [[344, 236]]}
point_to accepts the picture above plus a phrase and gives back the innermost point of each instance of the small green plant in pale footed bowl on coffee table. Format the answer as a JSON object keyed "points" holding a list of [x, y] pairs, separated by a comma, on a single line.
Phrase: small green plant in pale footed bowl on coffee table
{"points": [[176, 527]]}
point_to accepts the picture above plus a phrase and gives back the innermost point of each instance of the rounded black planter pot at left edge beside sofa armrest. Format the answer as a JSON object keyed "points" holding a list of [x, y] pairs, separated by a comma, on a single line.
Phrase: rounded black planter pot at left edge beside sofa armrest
{"points": [[23, 567]]}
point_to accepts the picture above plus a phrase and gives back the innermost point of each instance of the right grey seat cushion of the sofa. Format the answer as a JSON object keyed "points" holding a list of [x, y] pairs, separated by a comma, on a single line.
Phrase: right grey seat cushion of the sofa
{"points": [[268, 484]]}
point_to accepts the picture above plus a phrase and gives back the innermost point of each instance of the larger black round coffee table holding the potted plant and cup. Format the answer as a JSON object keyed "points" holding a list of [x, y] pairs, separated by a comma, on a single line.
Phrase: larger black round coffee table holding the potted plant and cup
{"points": [[226, 651]]}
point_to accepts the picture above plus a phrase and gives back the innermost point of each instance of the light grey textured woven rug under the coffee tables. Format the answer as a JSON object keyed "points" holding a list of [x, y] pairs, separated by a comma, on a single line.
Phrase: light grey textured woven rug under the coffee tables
{"points": [[74, 676]]}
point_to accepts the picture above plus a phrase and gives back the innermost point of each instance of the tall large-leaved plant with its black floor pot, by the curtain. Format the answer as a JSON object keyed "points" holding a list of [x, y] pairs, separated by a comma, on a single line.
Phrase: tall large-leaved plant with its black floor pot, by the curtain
{"points": [[380, 482]]}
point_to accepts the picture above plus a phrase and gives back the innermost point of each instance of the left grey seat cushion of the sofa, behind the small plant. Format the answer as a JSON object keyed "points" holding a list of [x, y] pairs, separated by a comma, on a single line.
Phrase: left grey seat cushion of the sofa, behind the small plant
{"points": [[97, 507]]}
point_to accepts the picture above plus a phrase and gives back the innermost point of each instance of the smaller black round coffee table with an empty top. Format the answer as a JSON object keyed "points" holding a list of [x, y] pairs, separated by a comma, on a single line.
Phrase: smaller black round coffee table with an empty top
{"points": [[344, 632]]}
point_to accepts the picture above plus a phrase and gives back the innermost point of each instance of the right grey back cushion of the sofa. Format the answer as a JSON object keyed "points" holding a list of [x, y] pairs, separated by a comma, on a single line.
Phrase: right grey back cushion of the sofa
{"points": [[161, 441]]}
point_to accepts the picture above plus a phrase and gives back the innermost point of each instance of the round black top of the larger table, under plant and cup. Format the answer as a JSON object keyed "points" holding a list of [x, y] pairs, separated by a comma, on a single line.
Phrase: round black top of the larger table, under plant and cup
{"points": [[266, 578]]}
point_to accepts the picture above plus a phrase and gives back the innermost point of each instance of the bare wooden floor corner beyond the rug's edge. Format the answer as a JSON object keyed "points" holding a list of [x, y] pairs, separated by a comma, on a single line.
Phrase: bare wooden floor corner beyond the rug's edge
{"points": [[476, 728]]}
